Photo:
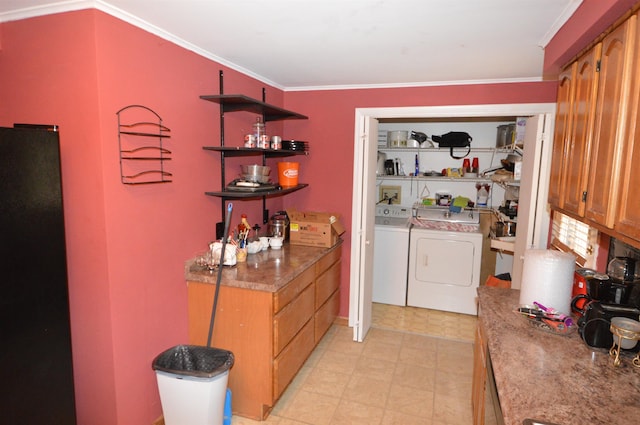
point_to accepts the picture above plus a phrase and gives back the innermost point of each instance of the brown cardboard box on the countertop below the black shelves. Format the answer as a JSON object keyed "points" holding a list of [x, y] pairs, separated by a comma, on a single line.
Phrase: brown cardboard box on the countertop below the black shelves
{"points": [[319, 229]]}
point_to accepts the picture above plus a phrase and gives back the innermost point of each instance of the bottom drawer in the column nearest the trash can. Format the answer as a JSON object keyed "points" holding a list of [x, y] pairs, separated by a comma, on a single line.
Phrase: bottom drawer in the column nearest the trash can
{"points": [[287, 364]]}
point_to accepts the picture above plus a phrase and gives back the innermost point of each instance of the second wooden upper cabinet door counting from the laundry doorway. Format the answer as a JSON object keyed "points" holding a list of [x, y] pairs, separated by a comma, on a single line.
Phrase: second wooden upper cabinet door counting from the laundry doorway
{"points": [[576, 166]]}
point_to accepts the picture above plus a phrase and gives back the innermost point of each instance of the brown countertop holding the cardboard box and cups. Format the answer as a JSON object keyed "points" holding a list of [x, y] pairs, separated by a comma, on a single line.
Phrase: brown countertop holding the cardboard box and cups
{"points": [[267, 270]]}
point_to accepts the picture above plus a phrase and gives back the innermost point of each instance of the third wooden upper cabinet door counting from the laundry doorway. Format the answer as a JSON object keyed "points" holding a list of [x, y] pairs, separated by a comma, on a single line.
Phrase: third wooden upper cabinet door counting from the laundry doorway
{"points": [[613, 96]]}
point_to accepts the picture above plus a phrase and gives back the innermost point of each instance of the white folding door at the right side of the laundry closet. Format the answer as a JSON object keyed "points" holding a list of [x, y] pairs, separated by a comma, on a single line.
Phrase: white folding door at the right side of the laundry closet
{"points": [[533, 214]]}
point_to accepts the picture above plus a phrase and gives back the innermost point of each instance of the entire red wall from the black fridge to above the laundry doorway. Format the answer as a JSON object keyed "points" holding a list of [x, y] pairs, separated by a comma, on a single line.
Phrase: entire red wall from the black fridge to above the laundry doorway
{"points": [[127, 244]]}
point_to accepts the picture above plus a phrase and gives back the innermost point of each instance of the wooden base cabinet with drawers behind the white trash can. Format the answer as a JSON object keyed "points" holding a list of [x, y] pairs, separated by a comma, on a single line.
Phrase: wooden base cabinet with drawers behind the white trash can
{"points": [[271, 334]]}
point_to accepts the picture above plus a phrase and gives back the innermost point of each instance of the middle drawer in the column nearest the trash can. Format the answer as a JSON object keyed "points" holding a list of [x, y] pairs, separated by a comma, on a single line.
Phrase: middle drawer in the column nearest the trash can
{"points": [[292, 318]]}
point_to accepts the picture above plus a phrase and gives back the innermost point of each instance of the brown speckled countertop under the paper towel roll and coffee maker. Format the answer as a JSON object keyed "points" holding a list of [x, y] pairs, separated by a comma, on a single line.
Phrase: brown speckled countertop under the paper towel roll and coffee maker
{"points": [[554, 378]]}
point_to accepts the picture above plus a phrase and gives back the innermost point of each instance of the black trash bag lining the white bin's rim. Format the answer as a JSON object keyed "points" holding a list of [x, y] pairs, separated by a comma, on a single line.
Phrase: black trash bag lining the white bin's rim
{"points": [[194, 360]]}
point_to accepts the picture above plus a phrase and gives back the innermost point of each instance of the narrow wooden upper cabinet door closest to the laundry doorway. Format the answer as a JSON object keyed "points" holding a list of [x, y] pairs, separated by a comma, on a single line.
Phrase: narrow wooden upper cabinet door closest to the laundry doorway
{"points": [[562, 126]]}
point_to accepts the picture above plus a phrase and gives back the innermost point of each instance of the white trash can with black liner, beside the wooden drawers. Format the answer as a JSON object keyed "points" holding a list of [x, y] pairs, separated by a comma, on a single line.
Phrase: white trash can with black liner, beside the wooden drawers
{"points": [[192, 382]]}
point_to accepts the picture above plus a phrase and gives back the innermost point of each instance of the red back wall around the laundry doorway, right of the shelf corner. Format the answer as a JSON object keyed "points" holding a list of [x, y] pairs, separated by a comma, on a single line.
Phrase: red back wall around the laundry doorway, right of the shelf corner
{"points": [[330, 133]]}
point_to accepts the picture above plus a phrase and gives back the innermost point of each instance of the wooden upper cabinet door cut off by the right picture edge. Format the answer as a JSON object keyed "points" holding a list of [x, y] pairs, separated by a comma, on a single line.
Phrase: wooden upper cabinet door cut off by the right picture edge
{"points": [[628, 219]]}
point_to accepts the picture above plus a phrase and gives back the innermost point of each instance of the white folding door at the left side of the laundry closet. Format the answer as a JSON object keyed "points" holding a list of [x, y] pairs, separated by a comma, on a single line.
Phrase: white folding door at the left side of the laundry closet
{"points": [[363, 224]]}
